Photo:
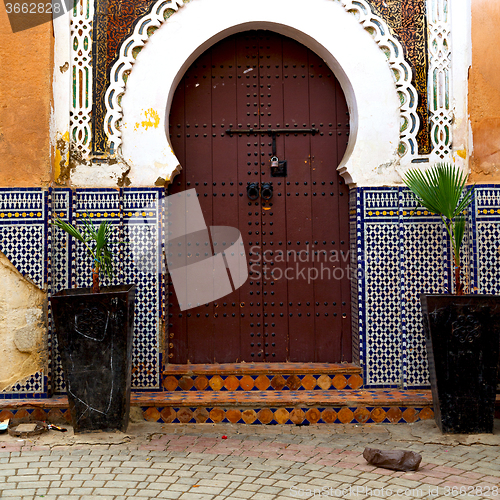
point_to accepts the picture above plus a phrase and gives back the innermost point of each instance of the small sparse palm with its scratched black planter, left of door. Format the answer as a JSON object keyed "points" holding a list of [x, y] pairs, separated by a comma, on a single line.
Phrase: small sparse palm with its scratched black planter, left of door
{"points": [[94, 328]]}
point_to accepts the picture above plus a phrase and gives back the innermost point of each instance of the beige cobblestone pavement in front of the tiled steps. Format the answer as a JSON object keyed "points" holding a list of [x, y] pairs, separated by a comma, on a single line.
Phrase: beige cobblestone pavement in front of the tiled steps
{"points": [[195, 462]]}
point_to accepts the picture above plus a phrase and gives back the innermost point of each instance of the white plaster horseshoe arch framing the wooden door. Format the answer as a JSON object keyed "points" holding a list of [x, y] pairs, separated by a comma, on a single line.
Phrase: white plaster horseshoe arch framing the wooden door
{"points": [[322, 25]]}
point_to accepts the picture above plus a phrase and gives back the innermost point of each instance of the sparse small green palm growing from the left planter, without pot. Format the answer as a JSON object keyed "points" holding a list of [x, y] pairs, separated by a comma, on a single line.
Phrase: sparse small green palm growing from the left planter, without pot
{"points": [[96, 242]]}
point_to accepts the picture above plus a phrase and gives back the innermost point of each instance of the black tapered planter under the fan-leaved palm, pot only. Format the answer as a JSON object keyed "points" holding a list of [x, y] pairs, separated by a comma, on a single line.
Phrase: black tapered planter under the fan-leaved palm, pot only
{"points": [[462, 339]]}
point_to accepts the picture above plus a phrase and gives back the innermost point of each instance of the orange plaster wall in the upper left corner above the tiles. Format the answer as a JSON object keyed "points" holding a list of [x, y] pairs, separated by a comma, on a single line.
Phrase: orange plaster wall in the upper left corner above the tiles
{"points": [[25, 96]]}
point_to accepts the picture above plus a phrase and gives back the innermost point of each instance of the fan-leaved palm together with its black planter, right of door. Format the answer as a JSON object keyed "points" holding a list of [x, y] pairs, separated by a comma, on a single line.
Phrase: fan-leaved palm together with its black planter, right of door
{"points": [[461, 330]]}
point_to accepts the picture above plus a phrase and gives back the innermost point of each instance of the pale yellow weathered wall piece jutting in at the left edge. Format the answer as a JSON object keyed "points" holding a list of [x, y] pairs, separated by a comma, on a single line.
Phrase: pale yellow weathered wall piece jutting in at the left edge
{"points": [[23, 334]]}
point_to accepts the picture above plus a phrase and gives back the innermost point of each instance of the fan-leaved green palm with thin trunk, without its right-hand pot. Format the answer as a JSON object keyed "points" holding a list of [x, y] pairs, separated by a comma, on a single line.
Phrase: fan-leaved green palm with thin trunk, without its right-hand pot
{"points": [[440, 190]]}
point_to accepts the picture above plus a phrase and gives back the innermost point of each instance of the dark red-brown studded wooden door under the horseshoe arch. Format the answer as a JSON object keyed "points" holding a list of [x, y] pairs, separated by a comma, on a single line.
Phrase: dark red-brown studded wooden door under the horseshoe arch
{"points": [[295, 306]]}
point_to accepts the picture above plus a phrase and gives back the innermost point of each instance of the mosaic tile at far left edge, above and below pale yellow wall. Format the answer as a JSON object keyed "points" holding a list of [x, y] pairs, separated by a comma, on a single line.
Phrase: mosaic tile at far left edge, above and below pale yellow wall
{"points": [[23, 239]]}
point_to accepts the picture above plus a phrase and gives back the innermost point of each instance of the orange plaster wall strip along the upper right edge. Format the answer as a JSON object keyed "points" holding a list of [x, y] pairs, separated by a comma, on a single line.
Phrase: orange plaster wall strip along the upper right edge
{"points": [[484, 91]]}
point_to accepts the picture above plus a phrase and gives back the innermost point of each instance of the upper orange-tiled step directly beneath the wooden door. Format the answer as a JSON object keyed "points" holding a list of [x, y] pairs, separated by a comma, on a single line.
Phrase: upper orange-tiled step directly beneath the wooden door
{"points": [[262, 377]]}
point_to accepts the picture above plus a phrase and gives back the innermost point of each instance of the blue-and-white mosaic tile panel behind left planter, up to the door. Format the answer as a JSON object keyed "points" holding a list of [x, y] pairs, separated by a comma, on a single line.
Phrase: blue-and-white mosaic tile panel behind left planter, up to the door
{"points": [[123, 208]]}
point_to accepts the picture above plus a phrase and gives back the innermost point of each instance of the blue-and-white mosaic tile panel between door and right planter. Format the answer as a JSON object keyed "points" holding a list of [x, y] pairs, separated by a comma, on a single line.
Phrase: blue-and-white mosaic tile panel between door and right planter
{"points": [[401, 252]]}
